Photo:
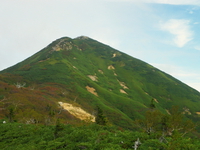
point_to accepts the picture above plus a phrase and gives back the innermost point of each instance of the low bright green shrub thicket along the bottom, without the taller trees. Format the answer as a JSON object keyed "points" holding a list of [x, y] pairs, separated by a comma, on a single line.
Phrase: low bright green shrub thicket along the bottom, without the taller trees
{"points": [[16, 136]]}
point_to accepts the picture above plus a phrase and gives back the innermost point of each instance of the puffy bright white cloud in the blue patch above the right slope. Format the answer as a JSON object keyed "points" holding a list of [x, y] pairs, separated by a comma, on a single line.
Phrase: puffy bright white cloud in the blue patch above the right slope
{"points": [[180, 28]]}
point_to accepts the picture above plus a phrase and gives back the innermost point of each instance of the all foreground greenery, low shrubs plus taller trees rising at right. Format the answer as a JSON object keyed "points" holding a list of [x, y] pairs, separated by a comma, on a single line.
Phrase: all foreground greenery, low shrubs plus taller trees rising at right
{"points": [[156, 131]]}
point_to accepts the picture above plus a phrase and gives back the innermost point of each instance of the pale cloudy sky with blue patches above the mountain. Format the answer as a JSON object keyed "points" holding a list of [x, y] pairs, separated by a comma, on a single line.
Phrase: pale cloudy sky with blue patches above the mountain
{"points": [[163, 33]]}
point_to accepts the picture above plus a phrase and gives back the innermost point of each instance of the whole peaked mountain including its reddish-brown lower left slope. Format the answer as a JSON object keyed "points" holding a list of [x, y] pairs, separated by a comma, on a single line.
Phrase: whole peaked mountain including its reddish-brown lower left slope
{"points": [[86, 73]]}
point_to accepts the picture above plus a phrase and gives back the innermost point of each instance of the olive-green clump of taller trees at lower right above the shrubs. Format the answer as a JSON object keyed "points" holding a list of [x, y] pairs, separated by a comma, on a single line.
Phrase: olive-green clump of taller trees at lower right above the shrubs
{"points": [[165, 125]]}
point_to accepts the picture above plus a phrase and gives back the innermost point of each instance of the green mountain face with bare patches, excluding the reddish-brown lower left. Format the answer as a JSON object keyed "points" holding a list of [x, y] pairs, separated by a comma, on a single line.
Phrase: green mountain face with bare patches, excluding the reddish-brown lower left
{"points": [[97, 74]]}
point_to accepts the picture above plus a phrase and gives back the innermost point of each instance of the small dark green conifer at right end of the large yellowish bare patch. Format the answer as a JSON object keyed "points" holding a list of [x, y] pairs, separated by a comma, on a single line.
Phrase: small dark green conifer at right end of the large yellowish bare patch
{"points": [[100, 117]]}
